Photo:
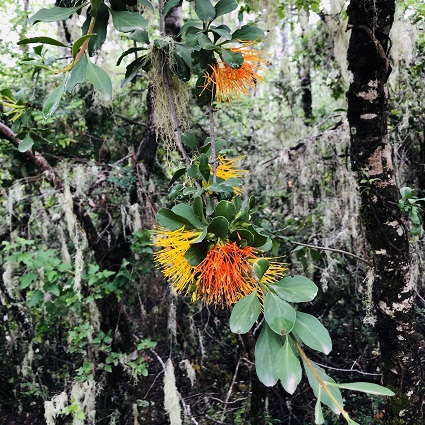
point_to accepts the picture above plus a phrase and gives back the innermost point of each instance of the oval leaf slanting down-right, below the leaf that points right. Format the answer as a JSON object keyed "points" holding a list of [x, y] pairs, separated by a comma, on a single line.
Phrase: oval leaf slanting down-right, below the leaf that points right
{"points": [[312, 333]]}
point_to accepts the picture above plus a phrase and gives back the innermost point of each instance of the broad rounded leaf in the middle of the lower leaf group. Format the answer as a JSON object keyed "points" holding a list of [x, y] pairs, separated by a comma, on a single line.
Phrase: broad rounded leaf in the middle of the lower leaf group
{"points": [[279, 315]]}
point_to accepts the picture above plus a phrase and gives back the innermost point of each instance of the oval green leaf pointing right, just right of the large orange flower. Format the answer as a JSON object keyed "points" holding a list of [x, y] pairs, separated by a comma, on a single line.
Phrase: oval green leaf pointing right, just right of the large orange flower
{"points": [[297, 289]]}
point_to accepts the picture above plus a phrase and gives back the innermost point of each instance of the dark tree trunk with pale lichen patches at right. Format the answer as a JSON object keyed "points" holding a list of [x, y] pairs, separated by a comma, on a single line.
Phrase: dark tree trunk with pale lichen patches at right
{"points": [[372, 160]]}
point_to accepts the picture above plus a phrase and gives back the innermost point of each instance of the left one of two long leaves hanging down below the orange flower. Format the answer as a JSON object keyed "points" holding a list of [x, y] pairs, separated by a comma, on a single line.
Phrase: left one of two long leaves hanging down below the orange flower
{"points": [[266, 350]]}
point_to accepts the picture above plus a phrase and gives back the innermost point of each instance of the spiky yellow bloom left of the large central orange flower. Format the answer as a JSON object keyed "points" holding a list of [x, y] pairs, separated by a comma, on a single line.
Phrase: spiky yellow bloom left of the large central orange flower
{"points": [[170, 259]]}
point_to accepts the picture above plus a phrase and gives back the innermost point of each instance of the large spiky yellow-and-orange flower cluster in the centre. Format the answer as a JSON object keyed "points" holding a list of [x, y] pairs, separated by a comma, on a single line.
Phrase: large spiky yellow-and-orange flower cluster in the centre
{"points": [[223, 277]]}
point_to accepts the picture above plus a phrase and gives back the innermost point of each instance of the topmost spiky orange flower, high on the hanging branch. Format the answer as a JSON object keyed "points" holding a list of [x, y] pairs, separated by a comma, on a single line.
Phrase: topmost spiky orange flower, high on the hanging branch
{"points": [[228, 83]]}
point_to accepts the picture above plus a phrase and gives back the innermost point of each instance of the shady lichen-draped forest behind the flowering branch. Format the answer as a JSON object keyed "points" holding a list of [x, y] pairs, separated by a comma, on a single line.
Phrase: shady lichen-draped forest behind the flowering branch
{"points": [[91, 332]]}
